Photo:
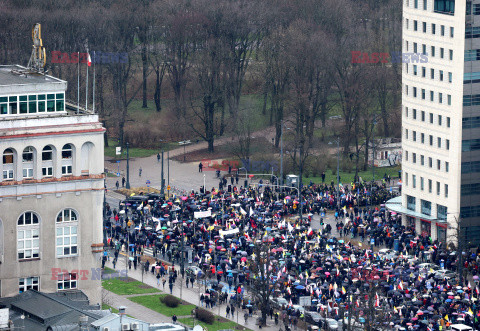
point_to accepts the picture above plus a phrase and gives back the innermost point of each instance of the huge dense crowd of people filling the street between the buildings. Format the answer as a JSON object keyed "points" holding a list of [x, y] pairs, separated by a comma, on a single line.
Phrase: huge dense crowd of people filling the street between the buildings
{"points": [[346, 276]]}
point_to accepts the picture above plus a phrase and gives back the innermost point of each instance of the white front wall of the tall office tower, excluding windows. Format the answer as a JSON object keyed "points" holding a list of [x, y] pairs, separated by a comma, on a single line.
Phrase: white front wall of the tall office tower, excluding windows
{"points": [[454, 110]]}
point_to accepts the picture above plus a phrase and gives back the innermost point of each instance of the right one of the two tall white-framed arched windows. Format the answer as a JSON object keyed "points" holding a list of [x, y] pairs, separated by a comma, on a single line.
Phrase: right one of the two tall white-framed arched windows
{"points": [[66, 233]]}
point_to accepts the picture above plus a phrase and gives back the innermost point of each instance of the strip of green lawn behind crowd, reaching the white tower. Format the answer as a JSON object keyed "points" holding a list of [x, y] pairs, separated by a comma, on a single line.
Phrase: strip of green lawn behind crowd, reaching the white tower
{"points": [[347, 177]]}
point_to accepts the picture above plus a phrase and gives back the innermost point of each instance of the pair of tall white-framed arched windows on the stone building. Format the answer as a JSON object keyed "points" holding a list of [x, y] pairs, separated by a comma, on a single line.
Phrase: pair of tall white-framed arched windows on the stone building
{"points": [[28, 235]]}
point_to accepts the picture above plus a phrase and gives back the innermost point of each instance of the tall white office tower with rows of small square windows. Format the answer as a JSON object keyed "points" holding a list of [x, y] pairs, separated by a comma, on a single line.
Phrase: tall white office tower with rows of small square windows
{"points": [[441, 120]]}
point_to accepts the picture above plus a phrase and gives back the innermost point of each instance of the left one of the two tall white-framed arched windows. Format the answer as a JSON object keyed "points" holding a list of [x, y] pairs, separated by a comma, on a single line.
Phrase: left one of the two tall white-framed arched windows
{"points": [[28, 236]]}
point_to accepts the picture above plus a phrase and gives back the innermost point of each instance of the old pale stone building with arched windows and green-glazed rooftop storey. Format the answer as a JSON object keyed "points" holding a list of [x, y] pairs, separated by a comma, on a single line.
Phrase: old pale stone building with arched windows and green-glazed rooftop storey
{"points": [[51, 188]]}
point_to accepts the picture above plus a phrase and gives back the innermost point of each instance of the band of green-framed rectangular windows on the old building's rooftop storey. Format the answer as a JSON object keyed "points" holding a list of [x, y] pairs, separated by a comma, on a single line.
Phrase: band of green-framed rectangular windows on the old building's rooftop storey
{"points": [[32, 103]]}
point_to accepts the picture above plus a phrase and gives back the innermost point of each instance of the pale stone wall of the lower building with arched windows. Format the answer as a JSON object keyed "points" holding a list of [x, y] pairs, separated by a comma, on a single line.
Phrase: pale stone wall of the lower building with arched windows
{"points": [[82, 191]]}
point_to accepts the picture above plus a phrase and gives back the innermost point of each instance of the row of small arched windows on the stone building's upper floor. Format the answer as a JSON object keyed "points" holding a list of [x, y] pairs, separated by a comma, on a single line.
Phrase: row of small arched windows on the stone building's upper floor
{"points": [[29, 162]]}
